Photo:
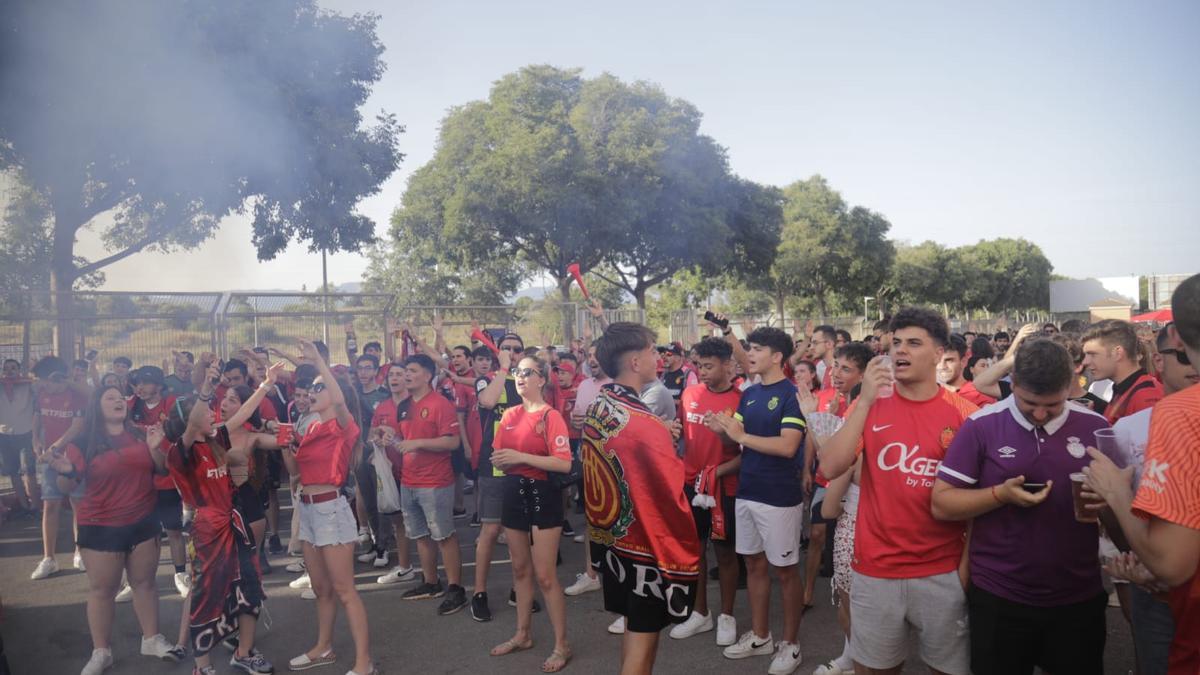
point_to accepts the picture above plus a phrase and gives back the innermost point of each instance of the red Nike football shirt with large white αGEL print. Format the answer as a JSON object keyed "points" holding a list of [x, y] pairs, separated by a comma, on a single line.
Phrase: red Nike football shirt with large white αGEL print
{"points": [[903, 446]]}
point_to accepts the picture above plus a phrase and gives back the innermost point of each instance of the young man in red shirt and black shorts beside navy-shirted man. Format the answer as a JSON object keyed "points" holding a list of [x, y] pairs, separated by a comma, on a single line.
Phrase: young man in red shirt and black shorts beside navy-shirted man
{"points": [[709, 455]]}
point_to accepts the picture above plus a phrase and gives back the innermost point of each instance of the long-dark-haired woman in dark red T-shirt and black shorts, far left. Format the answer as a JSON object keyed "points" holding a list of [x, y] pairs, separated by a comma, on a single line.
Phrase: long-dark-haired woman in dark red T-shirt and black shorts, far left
{"points": [[118, 530]]}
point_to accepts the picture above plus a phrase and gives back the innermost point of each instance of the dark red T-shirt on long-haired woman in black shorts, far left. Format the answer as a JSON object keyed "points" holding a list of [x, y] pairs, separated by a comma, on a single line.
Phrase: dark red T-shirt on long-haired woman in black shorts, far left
{"points": [[119, 483]]}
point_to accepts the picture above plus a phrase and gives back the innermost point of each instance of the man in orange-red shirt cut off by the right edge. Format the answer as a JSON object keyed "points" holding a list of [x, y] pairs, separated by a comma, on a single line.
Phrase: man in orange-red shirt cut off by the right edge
{"points": [[1162, 522]]}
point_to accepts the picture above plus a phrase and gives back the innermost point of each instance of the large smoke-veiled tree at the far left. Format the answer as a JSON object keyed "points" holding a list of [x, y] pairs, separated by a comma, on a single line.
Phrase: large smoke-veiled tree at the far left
{"points": [[167, 117]]}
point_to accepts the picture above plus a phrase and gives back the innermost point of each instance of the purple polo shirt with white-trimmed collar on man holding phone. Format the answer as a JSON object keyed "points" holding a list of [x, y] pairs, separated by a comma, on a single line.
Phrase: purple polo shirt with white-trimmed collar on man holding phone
{"points": [[1039, 557]]}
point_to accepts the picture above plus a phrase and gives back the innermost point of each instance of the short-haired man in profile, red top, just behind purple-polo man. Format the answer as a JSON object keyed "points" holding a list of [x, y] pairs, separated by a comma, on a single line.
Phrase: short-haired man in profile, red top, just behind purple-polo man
{"points": [[1111, 353]]}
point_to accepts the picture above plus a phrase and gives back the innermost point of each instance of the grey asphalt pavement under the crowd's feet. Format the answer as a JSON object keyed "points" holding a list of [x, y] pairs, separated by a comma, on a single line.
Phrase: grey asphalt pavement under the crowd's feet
{"points": [[45, 628]]}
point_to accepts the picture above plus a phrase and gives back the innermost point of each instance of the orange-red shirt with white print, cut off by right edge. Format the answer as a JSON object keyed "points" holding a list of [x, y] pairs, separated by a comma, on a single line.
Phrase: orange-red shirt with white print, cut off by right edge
{"points": [[1171, 491]]}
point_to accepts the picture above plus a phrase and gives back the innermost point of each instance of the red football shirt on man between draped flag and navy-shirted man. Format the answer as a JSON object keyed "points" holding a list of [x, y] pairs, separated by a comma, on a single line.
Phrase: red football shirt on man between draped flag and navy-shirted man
{"points": [[703, 447]]}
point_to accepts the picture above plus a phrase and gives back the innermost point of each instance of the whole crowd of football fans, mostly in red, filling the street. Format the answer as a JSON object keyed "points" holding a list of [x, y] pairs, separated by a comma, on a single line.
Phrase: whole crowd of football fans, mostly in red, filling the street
{"points": [[975, 495]]}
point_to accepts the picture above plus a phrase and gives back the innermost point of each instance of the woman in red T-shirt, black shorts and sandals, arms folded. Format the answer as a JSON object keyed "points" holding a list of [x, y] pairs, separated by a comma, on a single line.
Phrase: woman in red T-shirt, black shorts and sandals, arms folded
{"points": [[532, 440]]}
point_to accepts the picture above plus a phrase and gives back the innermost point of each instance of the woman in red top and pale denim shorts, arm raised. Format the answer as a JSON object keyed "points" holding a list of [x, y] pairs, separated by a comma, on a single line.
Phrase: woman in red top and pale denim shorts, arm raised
{"points": [[328, 529]]}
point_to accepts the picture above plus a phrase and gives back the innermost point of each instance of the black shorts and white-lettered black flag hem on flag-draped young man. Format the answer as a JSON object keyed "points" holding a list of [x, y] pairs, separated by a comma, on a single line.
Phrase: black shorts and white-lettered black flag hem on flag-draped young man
{"points": [[646, 611]]}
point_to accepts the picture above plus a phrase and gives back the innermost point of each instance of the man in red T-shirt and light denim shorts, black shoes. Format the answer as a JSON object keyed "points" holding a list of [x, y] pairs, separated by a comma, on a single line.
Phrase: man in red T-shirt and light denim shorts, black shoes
{"points": [[427, 492]]}
